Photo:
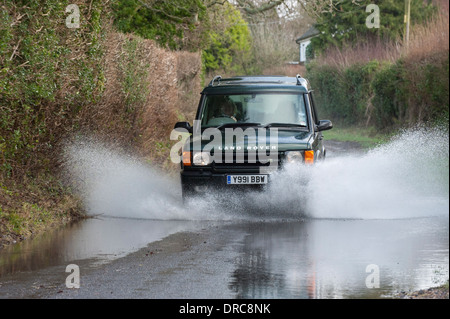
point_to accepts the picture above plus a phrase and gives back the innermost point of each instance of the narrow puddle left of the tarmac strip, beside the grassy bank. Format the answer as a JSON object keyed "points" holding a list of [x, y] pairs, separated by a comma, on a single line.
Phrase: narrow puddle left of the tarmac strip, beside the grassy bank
{"points": [[102, 238]]}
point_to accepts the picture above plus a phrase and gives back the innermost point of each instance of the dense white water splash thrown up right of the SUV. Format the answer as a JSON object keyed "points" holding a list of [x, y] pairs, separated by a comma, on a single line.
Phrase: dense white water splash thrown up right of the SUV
{"points": [[407, 177]]}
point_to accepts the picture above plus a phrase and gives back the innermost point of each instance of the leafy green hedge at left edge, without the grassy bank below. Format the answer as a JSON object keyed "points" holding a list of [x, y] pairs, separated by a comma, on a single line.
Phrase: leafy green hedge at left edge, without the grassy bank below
{"points": [[48, 73]]}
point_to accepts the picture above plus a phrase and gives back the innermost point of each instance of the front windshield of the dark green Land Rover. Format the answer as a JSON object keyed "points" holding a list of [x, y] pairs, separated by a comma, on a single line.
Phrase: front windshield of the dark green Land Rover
{"points": [[259, 109]]}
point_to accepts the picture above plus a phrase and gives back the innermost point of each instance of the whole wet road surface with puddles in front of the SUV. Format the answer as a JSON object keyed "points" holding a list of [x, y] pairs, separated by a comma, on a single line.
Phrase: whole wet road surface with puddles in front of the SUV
{"points": [[299, 257]]}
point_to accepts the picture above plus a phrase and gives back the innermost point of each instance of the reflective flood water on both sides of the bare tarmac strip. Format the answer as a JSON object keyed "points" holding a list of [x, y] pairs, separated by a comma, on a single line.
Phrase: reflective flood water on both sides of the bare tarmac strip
{"points": [[310, 258]]}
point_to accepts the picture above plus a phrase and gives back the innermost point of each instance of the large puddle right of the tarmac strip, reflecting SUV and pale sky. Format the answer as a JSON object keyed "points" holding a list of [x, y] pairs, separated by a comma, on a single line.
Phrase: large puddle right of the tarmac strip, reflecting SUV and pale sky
{"points": [[329, 258]]}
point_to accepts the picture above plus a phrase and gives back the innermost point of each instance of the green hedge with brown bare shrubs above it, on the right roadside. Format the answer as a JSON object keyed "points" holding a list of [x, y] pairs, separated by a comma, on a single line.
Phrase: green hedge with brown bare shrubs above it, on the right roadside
{"points": [[377, 79]]}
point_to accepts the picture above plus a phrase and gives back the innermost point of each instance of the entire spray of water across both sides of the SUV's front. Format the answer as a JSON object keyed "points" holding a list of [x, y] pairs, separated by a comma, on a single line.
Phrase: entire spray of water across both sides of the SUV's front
{"points": [[408, 177]]}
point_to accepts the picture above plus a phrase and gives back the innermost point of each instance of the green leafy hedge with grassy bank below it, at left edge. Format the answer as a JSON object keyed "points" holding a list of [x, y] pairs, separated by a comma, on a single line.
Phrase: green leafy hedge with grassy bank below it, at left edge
{"points": [[41, 65]]}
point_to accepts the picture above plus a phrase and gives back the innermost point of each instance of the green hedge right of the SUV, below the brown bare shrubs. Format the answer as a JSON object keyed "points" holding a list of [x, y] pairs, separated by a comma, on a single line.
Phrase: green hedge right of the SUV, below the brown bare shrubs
{"points": [[383, 94]]}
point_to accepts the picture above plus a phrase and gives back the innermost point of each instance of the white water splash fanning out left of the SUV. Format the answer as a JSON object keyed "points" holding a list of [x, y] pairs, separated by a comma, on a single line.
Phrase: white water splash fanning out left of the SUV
{"points": [[114, 183]]}
